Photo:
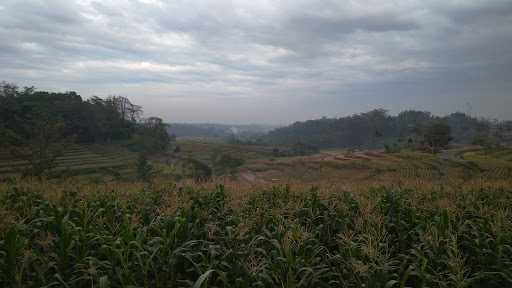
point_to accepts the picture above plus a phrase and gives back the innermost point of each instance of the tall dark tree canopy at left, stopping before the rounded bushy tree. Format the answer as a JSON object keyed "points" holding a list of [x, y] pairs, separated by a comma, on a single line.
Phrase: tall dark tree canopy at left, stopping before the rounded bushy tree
{"points": [[93, 120]]}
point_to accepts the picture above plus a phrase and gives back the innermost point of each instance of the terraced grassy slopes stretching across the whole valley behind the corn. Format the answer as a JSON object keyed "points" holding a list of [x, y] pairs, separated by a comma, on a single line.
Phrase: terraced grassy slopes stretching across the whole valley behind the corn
{"points": [[330, 167]]}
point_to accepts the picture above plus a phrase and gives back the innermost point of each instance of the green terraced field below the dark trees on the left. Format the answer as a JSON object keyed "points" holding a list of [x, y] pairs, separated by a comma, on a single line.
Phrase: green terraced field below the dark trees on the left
{"points": [[79, 159]]}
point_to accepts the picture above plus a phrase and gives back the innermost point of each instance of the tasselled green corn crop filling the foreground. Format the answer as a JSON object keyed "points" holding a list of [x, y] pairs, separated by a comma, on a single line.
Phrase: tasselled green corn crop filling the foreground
{"points": [[168, 237]]}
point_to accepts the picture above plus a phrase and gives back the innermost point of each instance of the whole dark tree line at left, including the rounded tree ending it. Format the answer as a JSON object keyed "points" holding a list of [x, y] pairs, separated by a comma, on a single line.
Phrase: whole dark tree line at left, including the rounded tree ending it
{"points": [[37, 125]]}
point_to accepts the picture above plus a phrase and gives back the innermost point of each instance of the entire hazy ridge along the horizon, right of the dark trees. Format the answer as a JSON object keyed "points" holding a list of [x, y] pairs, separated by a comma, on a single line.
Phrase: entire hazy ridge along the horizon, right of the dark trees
{"points": [[371, 129]]}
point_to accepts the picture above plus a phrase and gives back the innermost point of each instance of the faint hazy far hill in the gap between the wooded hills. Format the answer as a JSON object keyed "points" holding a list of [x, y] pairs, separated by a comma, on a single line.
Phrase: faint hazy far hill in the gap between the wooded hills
{"points": [[218, 131]]}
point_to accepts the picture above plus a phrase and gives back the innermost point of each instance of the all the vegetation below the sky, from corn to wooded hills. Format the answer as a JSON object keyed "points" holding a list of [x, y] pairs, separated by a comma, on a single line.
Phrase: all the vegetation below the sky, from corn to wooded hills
{"points": [[117, 202]]}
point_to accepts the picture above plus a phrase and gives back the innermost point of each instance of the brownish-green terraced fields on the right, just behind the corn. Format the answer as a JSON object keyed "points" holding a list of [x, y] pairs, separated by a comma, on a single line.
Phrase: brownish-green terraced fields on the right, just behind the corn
{"points": [[338, 167]]}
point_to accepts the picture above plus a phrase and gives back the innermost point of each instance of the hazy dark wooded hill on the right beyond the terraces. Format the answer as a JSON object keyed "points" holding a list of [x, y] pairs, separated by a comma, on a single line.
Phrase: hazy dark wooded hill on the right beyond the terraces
{"points": [[375, 128]]}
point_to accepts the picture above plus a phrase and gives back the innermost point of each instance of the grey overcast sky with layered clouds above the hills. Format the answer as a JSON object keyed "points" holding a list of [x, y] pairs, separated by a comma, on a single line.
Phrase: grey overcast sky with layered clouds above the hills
{"points": [[264, 61]]}
